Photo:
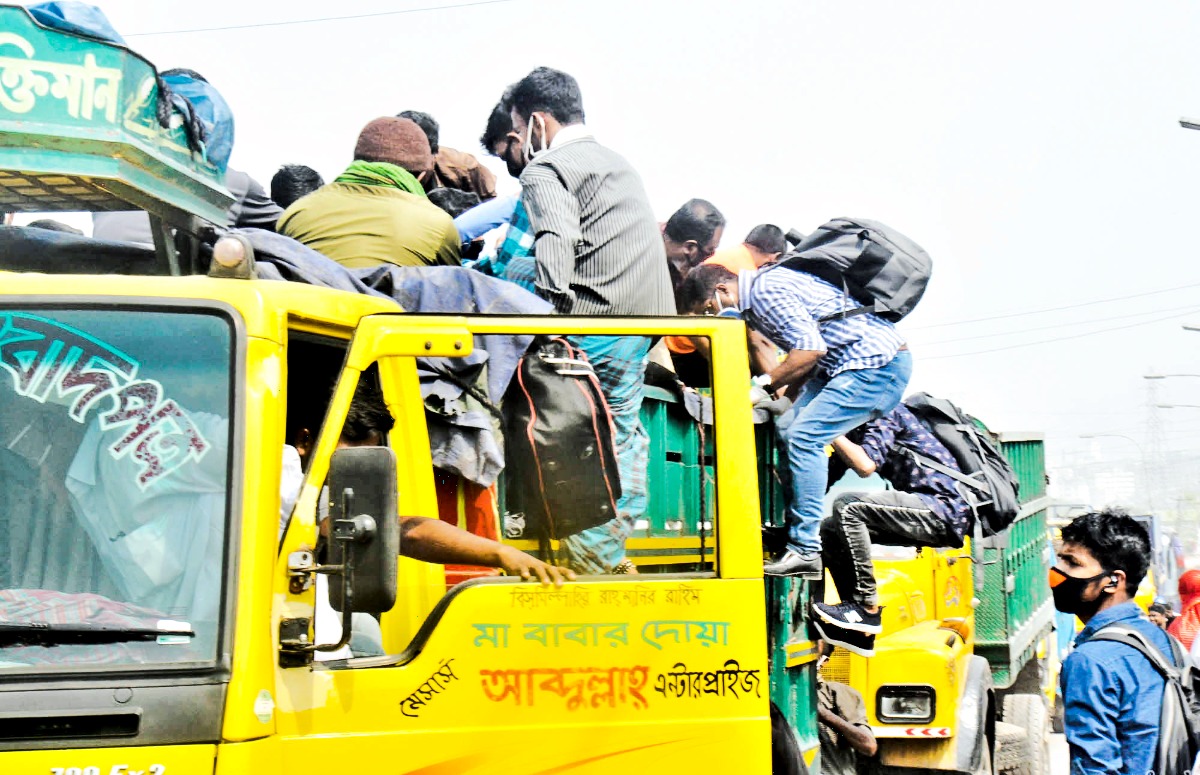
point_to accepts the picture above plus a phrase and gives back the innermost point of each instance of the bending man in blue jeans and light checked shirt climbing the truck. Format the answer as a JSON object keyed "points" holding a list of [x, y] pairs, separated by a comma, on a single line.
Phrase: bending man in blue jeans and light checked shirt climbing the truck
{"points": [[843, 373]]}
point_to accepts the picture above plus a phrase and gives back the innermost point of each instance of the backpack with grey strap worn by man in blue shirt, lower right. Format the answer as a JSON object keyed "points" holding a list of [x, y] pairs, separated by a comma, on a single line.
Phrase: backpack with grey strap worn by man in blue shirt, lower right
{"points": [[1179, 724]]}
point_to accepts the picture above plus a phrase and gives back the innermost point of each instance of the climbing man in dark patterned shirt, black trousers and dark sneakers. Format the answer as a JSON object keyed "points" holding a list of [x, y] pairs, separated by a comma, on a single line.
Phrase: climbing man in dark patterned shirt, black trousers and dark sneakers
{"points": [[925, 509]]}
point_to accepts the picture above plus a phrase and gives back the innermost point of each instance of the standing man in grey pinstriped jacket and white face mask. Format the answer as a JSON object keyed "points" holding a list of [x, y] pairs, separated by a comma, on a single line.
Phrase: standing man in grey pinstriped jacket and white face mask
{"points": [[598, 251]]}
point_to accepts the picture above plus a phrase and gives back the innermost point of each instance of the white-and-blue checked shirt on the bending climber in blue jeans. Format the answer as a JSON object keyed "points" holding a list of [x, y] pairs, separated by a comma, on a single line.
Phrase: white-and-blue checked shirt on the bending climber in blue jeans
{"points": [[787, 308]]}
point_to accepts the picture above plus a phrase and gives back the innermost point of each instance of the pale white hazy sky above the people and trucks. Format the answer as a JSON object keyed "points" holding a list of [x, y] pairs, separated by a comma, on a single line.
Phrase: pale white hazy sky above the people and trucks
{"points": [[1031, 148]]}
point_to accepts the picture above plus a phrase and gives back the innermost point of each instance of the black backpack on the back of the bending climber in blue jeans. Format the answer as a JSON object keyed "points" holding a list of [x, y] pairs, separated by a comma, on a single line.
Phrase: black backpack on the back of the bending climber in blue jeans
{"points": [[877, 266]]}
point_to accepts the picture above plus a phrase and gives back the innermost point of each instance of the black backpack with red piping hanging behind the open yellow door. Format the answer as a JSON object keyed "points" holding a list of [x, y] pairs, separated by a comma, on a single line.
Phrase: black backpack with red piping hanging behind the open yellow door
{"points": [[561, 462]]}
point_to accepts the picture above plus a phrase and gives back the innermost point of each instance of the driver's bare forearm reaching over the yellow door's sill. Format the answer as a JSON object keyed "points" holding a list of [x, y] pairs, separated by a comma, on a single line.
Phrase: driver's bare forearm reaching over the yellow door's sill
{"points": [[435, 542]]}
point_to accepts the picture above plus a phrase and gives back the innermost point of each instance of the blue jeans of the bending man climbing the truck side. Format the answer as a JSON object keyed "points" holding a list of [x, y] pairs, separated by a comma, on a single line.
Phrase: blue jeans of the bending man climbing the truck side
{"points": [[825, 411]]}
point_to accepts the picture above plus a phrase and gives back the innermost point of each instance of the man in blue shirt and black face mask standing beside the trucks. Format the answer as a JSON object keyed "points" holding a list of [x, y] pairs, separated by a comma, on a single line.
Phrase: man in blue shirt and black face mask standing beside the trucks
{"points": [[1113, 696]]}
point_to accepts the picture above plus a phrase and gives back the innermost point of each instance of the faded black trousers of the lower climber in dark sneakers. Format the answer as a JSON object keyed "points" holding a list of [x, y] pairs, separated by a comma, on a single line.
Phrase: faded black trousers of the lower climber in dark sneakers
{"points": [[890, 518]]}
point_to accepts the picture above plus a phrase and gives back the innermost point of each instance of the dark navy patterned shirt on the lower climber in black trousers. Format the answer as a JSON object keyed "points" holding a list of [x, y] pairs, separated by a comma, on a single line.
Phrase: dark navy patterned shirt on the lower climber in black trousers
{"points": [[885, 442]]}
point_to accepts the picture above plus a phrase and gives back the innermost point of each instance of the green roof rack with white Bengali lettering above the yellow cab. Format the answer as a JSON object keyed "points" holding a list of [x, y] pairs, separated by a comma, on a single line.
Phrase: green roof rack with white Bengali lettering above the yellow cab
{"points": [[80, 130]]}
